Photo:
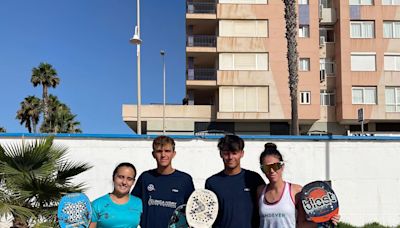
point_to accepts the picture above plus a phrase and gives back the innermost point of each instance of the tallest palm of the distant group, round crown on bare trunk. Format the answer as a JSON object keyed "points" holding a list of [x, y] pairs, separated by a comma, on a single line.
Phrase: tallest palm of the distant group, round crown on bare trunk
{"points": [[46, 76]]}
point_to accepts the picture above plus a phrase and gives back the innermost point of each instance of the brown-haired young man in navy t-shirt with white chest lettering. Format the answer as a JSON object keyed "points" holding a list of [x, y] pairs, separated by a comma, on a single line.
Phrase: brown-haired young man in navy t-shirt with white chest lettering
{"points": [[162, 189]]}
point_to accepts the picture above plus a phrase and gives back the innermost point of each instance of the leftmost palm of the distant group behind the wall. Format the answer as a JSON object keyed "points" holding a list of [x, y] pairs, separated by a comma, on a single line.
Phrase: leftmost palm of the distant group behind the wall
{"points": [[29, 112]]}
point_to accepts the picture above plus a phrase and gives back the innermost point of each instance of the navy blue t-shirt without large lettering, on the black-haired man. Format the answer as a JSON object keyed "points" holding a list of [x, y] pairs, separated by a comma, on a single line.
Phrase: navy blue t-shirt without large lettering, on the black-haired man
{"points": [[237, 198]]}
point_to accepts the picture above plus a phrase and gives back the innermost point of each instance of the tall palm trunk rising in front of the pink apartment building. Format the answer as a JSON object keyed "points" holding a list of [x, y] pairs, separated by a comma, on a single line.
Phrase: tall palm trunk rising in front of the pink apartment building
{"points": [[292, 56]]}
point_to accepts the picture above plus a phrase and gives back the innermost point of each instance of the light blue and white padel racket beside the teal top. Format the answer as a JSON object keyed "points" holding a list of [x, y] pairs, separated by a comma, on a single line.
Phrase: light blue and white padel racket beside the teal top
{"points": [[74, 210]]}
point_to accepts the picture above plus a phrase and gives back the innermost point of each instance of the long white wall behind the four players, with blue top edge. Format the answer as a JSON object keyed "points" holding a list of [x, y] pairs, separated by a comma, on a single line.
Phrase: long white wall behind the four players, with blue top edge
{"points": [[365, 174]]}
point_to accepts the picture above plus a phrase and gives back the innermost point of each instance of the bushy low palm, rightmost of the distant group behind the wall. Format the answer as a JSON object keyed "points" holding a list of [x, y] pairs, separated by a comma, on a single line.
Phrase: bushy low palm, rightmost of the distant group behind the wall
{"points": [[61, 119]]}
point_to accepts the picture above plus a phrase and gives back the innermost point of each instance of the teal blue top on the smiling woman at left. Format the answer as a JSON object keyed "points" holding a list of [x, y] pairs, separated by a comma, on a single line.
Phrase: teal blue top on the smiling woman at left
{"points": [[108, 214]]}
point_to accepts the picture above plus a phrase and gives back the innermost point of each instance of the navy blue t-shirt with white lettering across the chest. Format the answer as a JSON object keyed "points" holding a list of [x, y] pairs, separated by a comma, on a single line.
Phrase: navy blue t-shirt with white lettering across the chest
{"points": [[161, 195]]}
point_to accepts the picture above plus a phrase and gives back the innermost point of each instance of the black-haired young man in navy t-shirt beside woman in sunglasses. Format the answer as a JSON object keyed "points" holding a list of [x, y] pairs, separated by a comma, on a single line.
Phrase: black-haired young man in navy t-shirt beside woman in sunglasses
{"points": [[235, 187]]}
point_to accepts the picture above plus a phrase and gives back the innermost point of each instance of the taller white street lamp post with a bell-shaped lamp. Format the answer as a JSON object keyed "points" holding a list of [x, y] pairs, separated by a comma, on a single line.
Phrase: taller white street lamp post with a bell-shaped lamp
{"points": [[136, 40]]}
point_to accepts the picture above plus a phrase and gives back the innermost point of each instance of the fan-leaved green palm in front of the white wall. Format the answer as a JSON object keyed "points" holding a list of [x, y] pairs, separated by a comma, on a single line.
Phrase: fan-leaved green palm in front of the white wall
{"points": [[33, 178]]}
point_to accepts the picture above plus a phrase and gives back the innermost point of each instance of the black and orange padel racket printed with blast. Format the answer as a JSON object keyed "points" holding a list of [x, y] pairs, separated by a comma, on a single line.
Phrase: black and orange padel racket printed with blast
{"points": [[320, 203]]}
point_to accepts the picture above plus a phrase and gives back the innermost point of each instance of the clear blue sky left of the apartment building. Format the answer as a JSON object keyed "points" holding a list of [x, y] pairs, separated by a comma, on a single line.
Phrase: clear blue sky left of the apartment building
{"points": [[87, 42]]}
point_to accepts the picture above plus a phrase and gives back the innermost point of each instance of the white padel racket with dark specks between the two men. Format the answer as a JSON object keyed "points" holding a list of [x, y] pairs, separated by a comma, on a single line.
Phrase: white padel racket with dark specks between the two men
{"points": [[202, 208]]}
